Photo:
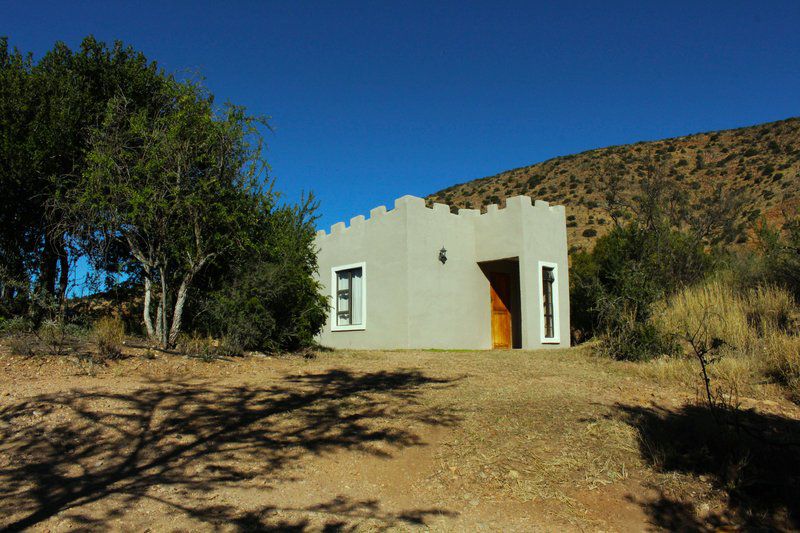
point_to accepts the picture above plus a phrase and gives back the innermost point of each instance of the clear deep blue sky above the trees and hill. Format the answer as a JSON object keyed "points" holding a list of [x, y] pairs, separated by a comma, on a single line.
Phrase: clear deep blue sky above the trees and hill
{"points": [[373, 100]]}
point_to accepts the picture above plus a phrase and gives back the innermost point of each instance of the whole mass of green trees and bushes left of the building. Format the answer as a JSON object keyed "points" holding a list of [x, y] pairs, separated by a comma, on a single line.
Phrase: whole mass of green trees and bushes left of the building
{"points": [[108, 157]]}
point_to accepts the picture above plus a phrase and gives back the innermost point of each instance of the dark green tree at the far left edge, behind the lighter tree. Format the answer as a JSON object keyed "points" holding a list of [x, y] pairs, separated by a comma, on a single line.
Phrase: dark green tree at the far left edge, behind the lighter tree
{"points": [[46, 109]]}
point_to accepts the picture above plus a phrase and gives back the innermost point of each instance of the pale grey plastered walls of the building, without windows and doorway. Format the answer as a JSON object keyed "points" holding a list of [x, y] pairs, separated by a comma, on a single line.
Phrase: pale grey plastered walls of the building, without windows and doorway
{"points": [[414, 301]]}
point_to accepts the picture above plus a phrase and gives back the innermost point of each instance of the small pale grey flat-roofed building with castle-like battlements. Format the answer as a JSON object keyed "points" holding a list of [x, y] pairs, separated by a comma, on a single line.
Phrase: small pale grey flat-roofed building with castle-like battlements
{"points": [[416, 277]]}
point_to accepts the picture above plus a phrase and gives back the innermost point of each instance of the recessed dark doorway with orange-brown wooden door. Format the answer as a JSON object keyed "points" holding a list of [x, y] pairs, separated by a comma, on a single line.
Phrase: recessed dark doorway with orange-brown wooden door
{"points": [[504, 302]]}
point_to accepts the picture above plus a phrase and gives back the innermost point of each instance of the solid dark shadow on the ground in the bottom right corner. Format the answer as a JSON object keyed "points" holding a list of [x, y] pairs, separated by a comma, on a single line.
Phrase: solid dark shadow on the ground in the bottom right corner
{"points": [[754, 462]]}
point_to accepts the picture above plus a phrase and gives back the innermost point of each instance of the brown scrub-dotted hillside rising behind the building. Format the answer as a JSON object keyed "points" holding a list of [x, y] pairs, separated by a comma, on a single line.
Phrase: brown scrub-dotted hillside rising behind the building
{"points": [[762, 162]]}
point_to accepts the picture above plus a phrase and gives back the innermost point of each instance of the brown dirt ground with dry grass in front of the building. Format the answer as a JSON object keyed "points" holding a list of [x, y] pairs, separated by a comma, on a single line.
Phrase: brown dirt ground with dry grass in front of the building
{"points": [[366, 441]]}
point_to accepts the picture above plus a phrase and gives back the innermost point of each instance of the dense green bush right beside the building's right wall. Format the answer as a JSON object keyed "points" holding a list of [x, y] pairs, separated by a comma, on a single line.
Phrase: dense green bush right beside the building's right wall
{"points": [[614, 289]]}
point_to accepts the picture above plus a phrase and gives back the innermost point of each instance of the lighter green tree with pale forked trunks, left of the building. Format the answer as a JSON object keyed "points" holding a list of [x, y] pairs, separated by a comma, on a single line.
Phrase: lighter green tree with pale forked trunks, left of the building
{"points": [[177, 183]]}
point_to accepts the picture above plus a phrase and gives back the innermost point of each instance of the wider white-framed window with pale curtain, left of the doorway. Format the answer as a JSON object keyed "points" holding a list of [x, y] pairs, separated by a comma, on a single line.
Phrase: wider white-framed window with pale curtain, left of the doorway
{"points": [[348, 284]]}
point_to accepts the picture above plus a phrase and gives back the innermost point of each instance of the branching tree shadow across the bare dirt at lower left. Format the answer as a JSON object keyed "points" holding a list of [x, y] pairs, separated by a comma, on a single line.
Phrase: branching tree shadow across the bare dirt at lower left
{"points": [[165, 441]]}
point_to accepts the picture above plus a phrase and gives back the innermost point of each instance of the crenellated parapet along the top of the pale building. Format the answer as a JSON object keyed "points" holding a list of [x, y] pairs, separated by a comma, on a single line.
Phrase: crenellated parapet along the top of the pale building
{"points": [[415, 206]]}
